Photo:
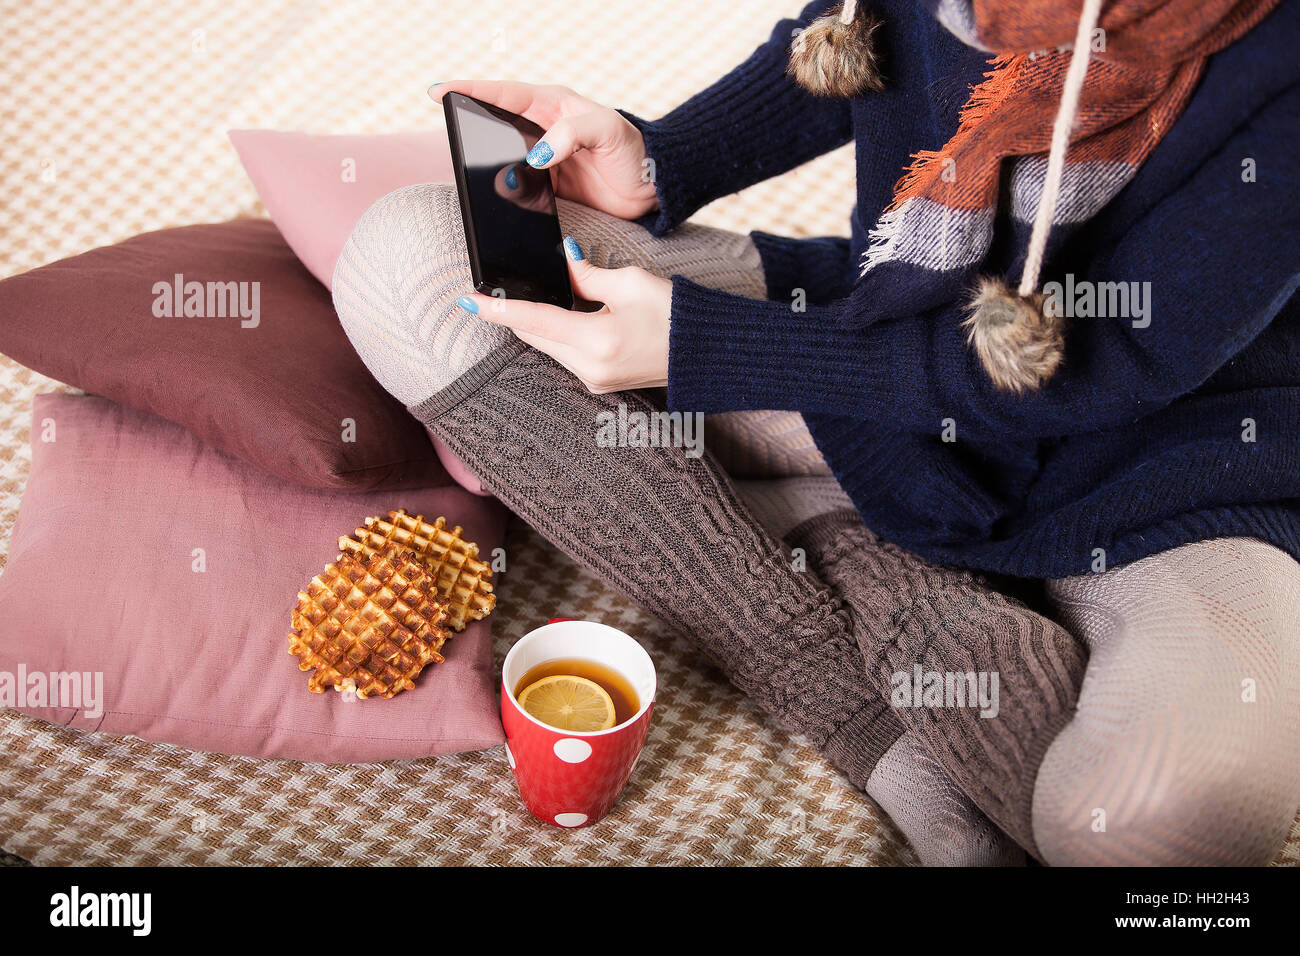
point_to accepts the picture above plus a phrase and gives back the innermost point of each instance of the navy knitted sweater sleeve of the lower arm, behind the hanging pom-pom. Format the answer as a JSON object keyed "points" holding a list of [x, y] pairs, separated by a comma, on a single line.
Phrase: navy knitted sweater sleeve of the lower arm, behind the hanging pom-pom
{"points": [[1221, 257]]}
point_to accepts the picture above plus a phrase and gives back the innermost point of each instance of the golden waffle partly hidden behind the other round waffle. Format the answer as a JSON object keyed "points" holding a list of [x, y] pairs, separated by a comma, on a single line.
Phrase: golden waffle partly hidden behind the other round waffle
{"points": [[462, 581]]}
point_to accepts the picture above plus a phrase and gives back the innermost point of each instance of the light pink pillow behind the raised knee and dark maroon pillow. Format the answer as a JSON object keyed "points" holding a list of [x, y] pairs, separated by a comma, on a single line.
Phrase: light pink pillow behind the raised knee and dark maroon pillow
{"points": [[318, 188]]}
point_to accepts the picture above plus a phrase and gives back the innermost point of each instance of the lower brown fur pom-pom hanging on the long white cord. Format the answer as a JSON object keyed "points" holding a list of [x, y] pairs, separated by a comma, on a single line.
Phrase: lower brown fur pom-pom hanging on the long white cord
{"points": [[1017, 343]]}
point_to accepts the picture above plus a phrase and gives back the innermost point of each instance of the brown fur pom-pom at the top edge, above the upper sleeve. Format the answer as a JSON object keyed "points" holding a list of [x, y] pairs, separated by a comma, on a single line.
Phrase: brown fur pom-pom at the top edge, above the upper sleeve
{"points": [[834, 58]]}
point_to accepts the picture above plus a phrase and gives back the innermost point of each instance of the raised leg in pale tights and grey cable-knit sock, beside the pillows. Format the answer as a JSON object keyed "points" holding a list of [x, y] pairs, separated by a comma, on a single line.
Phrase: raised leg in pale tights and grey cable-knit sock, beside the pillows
{"points": [[662, 526]]}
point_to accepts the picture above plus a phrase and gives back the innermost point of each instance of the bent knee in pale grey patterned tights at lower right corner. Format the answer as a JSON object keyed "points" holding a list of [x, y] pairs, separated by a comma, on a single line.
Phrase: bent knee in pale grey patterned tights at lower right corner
{"points": [[1186, 749]]}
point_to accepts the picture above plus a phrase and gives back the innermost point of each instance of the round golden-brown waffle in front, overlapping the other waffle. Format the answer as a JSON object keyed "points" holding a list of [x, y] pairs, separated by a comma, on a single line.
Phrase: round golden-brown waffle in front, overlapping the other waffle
{"points": [[369, 624]]}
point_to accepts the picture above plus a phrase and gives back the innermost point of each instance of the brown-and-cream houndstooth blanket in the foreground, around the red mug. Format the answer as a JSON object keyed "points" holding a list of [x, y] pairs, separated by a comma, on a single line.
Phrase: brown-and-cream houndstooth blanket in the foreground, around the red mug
{"points": [[716, 785]]}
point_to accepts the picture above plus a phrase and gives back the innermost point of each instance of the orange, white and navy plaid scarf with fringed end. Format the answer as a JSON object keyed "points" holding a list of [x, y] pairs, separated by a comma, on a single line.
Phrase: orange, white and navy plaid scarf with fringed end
{"points": [[1145, 62]]}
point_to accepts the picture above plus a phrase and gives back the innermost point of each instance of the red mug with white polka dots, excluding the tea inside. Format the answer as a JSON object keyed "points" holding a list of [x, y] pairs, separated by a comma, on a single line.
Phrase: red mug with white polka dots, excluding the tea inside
{"points": [[569, 778]]}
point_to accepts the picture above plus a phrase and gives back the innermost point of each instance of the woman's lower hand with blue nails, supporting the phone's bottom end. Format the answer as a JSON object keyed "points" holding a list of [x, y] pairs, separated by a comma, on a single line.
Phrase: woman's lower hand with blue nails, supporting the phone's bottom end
{"points": [[623, 347]]}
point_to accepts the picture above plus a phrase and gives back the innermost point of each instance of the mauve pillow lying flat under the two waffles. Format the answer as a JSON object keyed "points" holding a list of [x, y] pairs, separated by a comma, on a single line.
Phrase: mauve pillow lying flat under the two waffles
{"points": [[103, 577]]}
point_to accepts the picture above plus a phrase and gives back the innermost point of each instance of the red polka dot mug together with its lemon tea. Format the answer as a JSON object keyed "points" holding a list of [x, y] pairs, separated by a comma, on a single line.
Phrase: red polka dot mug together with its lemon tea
{"points": [[575, 674]]}
